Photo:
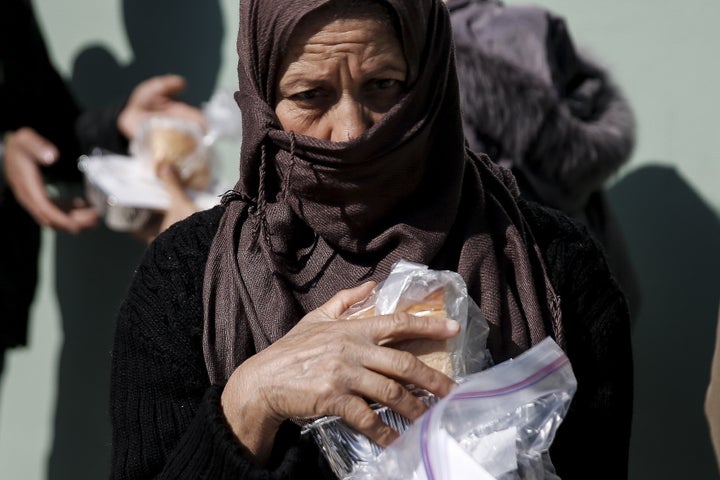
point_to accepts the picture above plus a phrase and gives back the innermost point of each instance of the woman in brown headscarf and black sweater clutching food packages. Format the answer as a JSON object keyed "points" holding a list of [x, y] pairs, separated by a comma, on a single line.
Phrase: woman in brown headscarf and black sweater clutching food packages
{"points": [[353, 158]]}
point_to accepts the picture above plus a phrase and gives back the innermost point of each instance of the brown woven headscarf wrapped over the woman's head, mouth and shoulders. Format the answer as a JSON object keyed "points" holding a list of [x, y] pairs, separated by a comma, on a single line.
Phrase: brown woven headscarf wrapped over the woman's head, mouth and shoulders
{"points": [[310, 217]]}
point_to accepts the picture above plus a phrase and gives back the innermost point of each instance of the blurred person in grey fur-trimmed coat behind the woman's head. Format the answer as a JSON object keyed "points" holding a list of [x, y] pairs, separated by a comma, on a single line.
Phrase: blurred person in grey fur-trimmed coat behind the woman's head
{"points": [[535, 104]]}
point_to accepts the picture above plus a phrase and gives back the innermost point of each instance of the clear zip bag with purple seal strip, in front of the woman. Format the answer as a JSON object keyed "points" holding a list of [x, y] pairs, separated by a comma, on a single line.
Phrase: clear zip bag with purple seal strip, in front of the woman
{"points": [[497, 424]]}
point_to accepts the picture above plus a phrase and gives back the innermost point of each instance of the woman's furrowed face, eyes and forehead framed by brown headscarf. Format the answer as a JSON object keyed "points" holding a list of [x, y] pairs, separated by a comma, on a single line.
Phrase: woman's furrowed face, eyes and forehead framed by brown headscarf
{"points": [[339, 78]]}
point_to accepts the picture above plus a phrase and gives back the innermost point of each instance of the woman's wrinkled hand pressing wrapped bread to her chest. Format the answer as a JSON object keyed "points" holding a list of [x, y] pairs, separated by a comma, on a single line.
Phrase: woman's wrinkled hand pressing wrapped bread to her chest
{"points": [[325, 366]]}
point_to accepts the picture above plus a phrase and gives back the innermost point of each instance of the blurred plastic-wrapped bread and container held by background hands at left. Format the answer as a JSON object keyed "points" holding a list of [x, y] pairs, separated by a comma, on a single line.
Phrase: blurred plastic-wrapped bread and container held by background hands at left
{"points": [[126, 189]]}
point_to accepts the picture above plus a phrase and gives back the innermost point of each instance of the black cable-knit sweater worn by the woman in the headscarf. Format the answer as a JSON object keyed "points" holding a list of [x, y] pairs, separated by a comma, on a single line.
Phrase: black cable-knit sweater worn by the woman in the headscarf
{"points": [[167, 420]]}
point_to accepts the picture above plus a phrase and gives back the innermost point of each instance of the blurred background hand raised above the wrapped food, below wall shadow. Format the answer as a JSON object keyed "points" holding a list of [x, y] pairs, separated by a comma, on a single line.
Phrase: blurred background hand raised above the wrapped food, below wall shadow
{"points": [[156, 96]]}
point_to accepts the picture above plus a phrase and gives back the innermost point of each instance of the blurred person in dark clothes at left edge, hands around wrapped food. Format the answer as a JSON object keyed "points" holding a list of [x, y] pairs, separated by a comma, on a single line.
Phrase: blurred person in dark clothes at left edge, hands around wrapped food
{"points": [[42, 132]]}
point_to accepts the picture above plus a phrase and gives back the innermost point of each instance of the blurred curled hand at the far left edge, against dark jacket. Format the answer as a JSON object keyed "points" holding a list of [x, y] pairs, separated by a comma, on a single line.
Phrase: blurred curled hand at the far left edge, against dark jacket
{"points": [[25, 152]]}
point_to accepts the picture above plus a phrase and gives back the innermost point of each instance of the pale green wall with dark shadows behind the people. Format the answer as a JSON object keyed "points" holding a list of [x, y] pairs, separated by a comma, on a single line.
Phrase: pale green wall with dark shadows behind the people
{"points": [[666, 200]]}
